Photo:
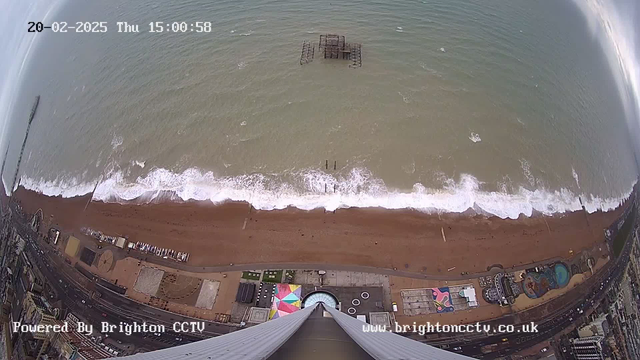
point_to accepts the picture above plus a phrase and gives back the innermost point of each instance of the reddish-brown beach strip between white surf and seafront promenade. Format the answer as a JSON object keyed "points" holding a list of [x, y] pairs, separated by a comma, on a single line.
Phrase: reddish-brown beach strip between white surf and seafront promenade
{"points": [[404, 239]]}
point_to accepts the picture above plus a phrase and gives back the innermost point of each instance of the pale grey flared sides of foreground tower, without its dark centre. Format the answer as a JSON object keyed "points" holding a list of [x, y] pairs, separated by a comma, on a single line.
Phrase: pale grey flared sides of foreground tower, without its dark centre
{"points": [[262, 341]]}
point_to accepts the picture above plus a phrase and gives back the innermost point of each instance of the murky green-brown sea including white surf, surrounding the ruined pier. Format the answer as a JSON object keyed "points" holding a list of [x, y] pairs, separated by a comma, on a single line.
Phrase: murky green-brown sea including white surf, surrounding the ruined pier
{"points": [[505, 107]]}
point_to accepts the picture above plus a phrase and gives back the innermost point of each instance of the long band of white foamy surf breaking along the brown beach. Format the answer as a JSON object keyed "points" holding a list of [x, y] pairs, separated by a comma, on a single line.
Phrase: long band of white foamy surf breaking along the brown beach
{"points": [[305, 190]]}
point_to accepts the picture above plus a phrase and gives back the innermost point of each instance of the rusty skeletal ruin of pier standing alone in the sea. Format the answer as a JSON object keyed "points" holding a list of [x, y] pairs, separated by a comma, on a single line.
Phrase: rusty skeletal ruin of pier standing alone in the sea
{"points": [[333, 46]]}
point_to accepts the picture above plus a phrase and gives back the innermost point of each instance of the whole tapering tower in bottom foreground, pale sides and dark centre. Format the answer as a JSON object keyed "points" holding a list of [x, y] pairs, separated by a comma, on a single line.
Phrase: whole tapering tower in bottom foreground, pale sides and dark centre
{"points": [[316, 332]]}
